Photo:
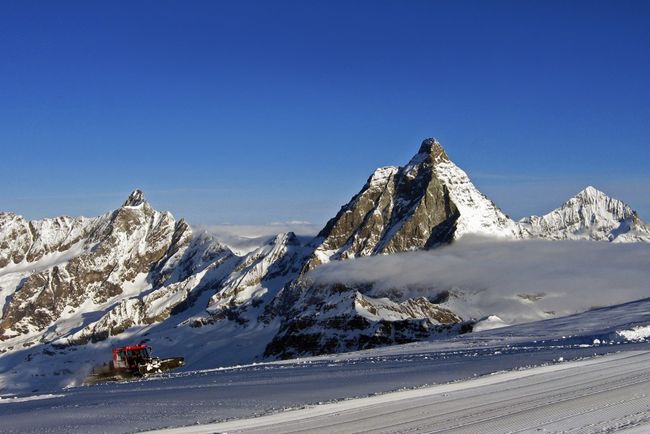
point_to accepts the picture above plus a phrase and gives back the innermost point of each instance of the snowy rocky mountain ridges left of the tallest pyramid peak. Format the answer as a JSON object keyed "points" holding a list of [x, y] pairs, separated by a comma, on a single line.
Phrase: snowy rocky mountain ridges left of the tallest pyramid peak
{"points": [[71, 281]]}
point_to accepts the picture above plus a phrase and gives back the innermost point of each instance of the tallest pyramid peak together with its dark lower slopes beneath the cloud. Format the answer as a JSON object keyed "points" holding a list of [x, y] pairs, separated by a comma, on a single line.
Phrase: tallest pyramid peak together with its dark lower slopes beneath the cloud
{"points": [[426, 203]]}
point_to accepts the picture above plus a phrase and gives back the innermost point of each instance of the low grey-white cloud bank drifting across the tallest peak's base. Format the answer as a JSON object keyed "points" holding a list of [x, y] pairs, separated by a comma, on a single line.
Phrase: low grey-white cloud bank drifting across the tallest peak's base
{"points": [[516, 280]]}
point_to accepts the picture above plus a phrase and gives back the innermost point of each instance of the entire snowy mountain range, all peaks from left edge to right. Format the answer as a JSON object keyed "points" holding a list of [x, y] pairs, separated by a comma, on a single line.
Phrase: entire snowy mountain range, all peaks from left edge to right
{"points": [[72, 283]]}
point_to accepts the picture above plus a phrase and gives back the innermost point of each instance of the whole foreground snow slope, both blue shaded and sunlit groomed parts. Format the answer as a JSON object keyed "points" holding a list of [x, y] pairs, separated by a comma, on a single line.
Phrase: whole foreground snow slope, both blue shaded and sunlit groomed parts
{"points": [[583, 373]]}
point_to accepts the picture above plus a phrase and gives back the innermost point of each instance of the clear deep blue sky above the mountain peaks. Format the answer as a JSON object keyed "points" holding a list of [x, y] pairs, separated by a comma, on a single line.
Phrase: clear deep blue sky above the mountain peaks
{"points": [[255, 112]]}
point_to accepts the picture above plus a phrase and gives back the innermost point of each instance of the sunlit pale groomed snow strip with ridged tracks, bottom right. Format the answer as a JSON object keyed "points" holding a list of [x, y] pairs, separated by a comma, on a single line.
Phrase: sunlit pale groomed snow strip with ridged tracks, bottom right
{"points": [[603, 394]]}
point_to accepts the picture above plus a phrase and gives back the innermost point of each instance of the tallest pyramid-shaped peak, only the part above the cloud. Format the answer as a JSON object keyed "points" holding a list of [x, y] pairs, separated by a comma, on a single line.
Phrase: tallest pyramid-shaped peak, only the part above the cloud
{"points": [[428, 202]]}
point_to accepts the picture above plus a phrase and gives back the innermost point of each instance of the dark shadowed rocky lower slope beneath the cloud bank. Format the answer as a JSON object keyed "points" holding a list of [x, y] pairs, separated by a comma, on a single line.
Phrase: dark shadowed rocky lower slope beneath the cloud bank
{"points": [[337, 318]]}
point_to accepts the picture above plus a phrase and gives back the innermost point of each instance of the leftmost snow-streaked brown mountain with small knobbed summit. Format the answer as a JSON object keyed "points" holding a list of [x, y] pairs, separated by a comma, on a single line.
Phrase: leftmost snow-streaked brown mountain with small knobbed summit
{"points": [[61, 268]]}
